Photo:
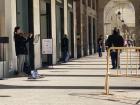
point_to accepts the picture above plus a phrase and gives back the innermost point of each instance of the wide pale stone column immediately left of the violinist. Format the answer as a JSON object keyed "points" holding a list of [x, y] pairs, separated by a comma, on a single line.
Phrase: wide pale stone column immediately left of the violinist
{"points": [[10, 23]]}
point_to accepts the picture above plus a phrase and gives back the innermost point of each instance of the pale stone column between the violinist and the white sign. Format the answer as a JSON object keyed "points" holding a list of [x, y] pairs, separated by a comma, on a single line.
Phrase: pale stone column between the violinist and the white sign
{"points": [[36, 13]]}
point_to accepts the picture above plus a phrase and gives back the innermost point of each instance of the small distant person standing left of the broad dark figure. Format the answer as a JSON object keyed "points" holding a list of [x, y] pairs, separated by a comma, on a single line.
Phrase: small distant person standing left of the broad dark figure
{"points": [[100, 45]]}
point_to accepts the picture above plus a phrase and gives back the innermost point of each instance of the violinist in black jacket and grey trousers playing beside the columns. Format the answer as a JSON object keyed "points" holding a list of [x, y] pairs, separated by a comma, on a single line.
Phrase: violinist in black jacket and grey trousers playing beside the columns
{"points": [[20, 47]]}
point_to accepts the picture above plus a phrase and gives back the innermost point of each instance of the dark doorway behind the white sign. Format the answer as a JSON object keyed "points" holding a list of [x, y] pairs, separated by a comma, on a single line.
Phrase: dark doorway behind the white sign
{"points": [[45, 23]]}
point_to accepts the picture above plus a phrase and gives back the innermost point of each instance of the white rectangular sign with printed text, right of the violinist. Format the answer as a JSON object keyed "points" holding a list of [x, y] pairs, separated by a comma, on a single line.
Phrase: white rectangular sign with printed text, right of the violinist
{"points": [[47, 46]]}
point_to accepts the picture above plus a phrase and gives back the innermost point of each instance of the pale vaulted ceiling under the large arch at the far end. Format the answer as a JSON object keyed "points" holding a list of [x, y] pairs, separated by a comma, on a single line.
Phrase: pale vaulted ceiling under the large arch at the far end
{"points": [[126, 9]]}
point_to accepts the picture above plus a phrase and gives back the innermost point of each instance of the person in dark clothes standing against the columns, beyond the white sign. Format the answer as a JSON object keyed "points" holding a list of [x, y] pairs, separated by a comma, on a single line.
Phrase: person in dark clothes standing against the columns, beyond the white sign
{"points": [[65, 48]]}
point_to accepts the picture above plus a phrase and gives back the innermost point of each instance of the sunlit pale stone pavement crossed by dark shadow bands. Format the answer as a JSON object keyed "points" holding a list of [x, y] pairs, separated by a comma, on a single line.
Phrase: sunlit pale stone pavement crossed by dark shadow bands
{"points": [[78, 82]]}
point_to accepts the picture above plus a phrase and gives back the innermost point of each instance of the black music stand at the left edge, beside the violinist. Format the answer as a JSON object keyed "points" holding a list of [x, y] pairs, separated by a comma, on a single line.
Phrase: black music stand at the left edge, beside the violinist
{"points": [[3, 40]]}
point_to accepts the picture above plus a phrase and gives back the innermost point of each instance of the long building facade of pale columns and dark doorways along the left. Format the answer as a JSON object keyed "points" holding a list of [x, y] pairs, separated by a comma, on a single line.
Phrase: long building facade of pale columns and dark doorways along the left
{"points": [[49, 19]]}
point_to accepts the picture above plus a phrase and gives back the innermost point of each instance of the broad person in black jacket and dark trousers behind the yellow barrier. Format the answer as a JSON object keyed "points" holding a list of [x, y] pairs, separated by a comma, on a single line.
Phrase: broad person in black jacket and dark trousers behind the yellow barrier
{"points": [[115, 40]]}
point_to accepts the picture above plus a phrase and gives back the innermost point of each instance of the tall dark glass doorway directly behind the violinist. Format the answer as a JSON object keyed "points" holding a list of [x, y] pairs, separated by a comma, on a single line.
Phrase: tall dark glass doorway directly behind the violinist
{"points": [[25, 21]]}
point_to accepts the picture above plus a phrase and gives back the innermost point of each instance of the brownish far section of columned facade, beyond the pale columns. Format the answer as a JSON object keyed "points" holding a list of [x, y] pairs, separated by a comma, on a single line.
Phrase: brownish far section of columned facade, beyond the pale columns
{"points": [[86, 18]]}
